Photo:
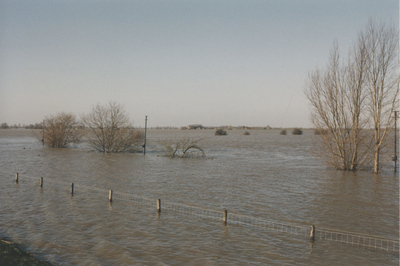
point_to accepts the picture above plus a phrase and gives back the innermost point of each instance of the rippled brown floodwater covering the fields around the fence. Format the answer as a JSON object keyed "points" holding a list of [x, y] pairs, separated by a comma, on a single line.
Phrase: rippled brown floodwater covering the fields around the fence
{"points": [[263, 175]]}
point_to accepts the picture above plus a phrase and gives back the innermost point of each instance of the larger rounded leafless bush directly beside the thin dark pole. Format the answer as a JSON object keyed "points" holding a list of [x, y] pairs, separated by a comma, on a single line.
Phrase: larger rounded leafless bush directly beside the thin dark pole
{"points": [[109, 129]]}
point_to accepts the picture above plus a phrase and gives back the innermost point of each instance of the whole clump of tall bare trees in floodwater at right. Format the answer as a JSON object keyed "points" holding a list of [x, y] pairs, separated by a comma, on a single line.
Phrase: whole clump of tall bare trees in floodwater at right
{"points": [[342, 93]]}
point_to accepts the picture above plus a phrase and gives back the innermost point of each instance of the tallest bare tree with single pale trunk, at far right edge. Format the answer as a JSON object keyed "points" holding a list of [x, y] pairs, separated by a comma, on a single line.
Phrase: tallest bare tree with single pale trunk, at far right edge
{"points": [[381, 42]]}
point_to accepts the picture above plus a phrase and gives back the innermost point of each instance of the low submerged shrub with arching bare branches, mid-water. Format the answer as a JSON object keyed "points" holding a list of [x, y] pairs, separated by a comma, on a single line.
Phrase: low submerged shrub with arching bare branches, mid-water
{"points": [[182, 148]]}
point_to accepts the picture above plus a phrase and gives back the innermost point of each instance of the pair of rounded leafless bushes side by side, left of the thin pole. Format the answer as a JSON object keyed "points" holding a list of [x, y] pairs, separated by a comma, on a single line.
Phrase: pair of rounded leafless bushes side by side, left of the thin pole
{"points": [[106, 128]]}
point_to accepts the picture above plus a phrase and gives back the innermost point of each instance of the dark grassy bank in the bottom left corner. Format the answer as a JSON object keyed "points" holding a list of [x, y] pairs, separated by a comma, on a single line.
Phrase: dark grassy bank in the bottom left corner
{"points": [[11, 254]]}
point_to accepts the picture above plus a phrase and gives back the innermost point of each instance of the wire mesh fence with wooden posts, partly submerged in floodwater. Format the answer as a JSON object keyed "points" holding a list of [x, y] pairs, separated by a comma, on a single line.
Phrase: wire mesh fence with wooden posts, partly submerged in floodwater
{"points": [[369, 241]]}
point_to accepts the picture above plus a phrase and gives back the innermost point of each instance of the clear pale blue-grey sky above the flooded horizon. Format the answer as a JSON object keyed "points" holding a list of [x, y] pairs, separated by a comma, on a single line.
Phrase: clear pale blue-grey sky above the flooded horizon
{"points": [[179, 62]]}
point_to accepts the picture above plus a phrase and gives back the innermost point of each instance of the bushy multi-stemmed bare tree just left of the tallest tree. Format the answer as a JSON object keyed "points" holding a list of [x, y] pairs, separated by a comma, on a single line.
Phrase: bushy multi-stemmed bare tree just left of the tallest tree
{"points": [[337, 98]]}
